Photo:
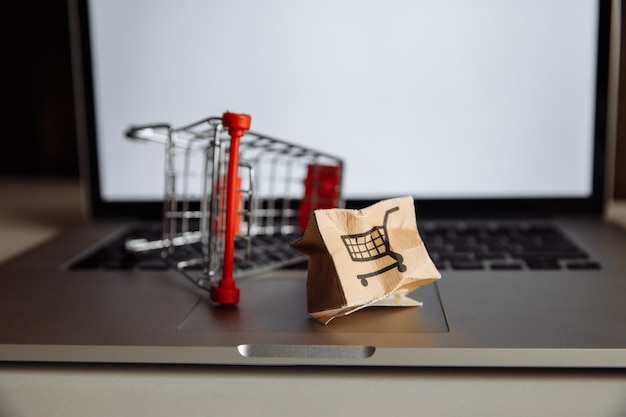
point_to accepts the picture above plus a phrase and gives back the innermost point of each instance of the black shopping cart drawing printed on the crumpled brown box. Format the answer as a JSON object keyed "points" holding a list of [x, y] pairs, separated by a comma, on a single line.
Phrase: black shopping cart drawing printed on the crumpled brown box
{"points": [[371, 245]]}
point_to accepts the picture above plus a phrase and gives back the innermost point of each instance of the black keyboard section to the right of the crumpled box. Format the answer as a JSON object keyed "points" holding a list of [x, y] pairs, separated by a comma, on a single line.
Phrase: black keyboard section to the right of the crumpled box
{"points": [[502, 247]]}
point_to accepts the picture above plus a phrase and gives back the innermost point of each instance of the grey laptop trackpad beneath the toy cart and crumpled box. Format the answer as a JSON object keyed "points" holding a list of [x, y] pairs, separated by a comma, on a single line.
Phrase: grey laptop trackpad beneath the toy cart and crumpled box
{"points": [[277, 303]]}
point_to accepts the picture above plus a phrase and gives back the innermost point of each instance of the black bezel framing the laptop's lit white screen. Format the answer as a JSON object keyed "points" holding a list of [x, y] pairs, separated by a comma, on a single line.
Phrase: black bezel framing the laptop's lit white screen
{"points": [[100, 208]]}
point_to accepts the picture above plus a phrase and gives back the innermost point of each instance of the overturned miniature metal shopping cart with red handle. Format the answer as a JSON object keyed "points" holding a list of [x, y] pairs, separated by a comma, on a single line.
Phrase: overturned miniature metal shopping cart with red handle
{"points": [[230, 194]]}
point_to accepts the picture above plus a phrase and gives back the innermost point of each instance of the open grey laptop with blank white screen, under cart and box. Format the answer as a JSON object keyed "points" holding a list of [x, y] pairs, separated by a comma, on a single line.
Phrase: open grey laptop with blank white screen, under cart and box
{"points": [[492, 116]]}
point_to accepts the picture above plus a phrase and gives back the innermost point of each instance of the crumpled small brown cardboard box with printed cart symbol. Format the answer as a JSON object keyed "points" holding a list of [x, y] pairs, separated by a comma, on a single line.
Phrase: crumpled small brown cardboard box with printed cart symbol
{"points": [[361, 258]]}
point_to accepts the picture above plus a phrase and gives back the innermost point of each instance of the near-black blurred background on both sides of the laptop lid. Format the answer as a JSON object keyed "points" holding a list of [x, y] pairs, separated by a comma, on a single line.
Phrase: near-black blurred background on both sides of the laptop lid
{"points": [[39, 127]]}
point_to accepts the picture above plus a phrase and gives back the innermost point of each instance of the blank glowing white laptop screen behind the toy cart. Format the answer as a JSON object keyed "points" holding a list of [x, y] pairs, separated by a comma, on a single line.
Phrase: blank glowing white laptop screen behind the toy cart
{"points": [[440, 100]]}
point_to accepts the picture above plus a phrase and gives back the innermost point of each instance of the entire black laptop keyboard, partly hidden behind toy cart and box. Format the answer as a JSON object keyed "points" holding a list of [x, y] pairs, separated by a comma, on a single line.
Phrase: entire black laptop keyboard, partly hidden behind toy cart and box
{"points": [[454, 246]]}
